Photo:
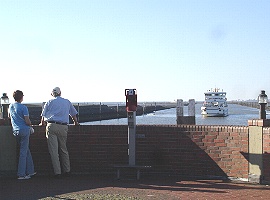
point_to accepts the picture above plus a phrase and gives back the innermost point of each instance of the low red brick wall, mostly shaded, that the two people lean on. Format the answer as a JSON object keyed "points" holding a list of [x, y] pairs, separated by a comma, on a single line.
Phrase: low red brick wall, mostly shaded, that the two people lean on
{"points": [[186, 150]]}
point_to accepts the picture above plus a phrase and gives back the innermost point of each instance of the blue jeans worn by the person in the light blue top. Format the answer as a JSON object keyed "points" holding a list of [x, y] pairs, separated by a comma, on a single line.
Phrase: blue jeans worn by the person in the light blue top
{"points": [[25, 164]]}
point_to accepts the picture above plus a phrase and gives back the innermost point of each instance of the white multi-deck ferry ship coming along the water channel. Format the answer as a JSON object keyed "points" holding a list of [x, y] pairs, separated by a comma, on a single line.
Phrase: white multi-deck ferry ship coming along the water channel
{"points": [[215, 104]]}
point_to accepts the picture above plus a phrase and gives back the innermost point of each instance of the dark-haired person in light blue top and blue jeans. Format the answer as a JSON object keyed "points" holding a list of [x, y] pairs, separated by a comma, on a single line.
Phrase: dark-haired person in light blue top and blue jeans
{"points": [[21, 129]]}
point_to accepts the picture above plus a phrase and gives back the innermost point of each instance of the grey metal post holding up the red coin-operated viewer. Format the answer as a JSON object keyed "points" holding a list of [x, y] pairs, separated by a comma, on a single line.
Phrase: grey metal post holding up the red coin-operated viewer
{"points": [[131, 137]]}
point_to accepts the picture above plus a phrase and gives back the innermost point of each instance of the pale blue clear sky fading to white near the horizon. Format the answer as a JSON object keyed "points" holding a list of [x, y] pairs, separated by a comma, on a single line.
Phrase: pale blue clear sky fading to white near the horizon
{"points": [[165, 49]]}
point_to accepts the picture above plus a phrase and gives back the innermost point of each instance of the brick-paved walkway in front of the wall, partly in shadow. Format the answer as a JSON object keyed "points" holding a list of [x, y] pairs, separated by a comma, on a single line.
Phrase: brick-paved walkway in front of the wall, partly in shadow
{"points": [[87, 187]]}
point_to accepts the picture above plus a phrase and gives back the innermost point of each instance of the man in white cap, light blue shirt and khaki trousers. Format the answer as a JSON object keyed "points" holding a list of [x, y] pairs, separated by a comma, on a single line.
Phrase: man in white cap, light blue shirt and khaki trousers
{"points": [[55, 116]]}
